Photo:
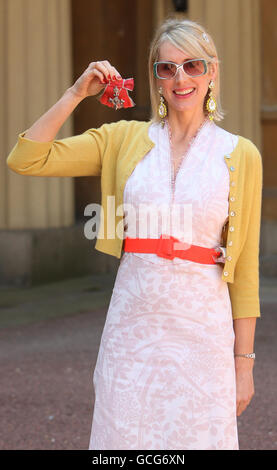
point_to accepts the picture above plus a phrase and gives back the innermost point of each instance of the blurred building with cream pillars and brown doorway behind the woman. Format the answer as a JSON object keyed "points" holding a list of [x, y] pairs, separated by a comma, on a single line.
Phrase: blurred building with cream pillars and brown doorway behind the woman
{"points": [[47, 44]]}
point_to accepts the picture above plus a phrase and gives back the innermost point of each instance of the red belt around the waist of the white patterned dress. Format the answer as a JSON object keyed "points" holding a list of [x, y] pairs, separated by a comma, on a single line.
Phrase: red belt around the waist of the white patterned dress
{"points": [[170, 247]]}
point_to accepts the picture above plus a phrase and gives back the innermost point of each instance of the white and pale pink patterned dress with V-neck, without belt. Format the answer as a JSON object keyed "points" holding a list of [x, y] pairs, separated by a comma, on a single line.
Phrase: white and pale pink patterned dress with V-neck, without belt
{"points": [[165, 376]]}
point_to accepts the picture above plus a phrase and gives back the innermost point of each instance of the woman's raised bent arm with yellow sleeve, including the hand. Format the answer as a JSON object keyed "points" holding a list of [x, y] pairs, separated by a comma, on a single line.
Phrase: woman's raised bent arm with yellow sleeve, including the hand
{"points": [[37, 153]]}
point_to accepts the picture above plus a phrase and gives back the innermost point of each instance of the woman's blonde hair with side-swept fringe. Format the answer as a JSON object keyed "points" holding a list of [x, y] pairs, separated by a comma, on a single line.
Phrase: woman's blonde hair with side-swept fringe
{"points": [[193, 40]]}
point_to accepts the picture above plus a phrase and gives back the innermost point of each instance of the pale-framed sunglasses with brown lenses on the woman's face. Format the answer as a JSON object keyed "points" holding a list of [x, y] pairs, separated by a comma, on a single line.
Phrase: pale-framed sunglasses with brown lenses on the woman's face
{"points": [[168, 70]]}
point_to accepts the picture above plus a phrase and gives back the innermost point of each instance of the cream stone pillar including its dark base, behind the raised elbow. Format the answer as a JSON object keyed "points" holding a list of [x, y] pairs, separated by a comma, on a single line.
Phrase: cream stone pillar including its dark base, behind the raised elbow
{"points": [[39, 240]]}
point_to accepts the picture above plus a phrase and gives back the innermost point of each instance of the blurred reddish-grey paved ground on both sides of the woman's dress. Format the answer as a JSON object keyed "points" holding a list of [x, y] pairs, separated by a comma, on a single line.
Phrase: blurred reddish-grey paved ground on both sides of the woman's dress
{"points": [[49, 338]]}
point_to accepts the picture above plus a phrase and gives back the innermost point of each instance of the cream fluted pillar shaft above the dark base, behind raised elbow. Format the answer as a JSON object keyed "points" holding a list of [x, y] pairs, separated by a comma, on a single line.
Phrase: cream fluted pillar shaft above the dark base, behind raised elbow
{"points": [[35, 72]]}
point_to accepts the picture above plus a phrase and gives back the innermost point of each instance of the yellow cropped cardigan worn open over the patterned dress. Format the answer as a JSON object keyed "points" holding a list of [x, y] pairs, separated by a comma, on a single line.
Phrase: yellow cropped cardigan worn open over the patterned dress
{"points": [[113, 151]]}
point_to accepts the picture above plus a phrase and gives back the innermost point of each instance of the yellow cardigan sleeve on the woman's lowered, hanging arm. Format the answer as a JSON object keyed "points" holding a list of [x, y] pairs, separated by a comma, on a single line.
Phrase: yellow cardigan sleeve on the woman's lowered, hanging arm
{"points": [[244, 291]]}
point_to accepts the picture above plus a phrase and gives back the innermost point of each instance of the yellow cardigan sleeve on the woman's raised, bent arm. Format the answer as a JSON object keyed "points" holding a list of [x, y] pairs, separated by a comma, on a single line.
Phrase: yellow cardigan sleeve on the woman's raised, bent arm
{"points": [[79, 155]]}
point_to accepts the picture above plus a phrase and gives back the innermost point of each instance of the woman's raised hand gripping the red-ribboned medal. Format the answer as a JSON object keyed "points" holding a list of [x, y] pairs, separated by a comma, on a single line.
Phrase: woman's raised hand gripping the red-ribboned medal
{"points": [[91, 82]]}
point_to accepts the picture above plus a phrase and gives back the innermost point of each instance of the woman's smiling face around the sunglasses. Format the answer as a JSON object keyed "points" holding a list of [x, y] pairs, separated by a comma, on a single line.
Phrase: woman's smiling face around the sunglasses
{"points": [[173, 88]]}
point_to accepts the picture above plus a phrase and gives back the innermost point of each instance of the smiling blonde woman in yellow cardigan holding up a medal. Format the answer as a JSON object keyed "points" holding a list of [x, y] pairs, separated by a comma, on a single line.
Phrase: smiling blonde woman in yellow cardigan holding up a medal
{"points": [[173, 369]]}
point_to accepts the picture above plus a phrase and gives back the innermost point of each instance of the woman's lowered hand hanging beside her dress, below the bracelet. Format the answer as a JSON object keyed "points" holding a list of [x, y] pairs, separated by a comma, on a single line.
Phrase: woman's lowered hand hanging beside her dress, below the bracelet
{"points": [[244, 383]]}
